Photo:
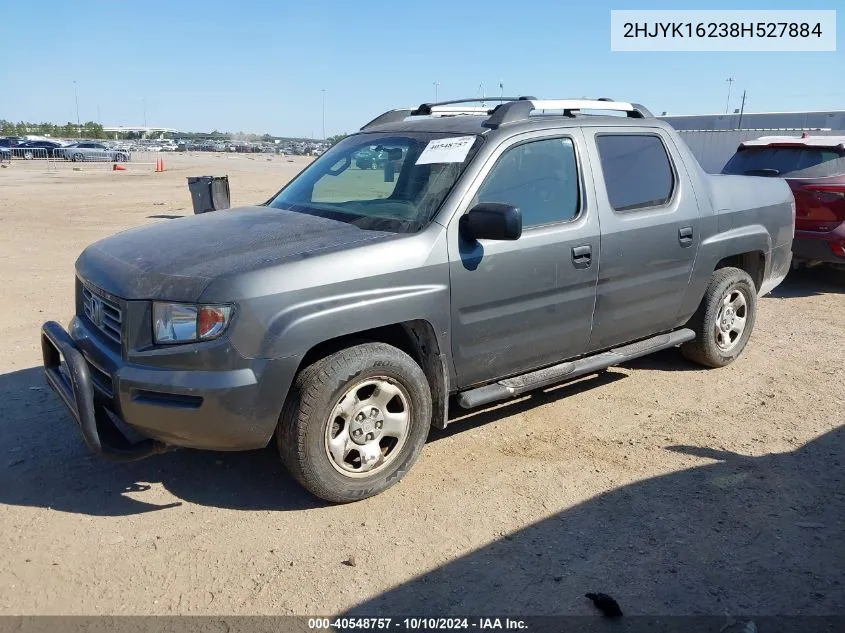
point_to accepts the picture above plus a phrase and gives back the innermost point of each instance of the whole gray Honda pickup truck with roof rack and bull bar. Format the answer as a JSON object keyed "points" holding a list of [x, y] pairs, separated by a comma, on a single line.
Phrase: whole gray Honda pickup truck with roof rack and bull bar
{"points": [[508, 248]]}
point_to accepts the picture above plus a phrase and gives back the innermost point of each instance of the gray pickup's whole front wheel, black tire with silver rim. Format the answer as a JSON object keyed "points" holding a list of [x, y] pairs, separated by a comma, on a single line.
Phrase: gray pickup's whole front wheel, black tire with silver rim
{"points": [[355, 422]]}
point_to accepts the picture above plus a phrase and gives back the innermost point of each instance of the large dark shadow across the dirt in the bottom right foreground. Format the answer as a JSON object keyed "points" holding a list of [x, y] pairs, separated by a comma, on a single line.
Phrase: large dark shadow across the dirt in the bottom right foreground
{"points": [[741, 535]]}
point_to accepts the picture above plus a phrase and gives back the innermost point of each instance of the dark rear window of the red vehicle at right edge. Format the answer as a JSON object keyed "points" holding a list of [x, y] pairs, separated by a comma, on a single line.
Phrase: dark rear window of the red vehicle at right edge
{"points": [[792, 162]]}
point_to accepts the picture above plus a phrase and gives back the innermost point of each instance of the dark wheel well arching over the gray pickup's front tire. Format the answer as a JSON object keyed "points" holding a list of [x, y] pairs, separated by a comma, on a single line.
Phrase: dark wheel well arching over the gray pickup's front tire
{"points": [[417, 339]]}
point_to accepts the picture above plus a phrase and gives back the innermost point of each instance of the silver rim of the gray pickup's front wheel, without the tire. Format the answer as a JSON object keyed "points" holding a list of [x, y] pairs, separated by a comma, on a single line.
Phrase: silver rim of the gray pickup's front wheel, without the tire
{"points": [[368, 426]]}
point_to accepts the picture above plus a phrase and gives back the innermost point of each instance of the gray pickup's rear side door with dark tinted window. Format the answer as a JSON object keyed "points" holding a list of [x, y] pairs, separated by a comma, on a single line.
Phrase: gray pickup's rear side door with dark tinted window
{"points": [[649, 233]]}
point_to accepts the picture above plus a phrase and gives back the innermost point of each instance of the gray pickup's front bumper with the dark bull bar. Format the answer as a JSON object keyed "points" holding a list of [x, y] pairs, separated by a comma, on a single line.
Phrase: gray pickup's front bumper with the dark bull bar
{"points": [[112, 399]]}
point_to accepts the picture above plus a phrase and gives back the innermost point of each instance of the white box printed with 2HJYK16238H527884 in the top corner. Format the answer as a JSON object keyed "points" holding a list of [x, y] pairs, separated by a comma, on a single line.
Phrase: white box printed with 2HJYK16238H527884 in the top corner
{"points": [[728, 30]]}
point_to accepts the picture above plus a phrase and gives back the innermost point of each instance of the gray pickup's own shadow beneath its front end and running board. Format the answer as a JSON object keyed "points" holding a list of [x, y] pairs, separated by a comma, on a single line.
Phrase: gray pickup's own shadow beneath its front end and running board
{"points": [[44, 463]]}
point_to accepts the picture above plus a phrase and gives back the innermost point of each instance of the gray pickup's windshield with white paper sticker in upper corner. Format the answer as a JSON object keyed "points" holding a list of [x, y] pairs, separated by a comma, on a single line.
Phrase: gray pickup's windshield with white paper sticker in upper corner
{"points": [[386, 182]]}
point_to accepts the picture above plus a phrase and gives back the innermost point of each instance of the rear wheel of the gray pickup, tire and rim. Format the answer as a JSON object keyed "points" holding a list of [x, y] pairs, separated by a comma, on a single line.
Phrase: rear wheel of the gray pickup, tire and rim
{"points": [[724, 319]]}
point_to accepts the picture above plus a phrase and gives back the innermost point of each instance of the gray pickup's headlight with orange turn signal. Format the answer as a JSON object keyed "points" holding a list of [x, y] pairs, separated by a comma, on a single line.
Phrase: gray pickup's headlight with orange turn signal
{"points": [[183, 323]]}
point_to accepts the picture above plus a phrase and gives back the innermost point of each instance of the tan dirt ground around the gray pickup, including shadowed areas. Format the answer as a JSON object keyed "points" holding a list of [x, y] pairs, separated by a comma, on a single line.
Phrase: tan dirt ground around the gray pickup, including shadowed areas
{"points": [[675, 489]]}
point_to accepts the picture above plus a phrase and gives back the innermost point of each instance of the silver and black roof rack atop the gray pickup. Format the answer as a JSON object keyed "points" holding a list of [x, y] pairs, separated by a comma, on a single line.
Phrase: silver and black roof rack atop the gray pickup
{"points": [[509, 109]]}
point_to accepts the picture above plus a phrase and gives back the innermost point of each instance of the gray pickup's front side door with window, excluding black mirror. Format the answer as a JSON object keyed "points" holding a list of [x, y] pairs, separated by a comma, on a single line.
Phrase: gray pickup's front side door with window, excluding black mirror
{"points": [[519, 305]]}
